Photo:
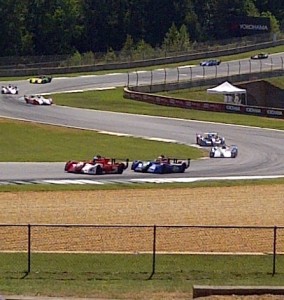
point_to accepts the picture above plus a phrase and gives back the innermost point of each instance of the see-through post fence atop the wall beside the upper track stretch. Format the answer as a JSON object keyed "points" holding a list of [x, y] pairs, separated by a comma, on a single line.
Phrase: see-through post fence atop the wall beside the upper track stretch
{"points": [[242, 70]]}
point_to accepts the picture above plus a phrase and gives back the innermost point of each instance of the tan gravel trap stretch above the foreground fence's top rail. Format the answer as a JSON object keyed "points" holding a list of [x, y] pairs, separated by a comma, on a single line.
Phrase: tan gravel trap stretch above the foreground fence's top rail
{"points": [[246, 205]]}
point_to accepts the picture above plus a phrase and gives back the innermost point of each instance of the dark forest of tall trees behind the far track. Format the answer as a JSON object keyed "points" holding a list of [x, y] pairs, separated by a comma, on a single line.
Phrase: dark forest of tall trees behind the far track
{"points": [[49, 27]]}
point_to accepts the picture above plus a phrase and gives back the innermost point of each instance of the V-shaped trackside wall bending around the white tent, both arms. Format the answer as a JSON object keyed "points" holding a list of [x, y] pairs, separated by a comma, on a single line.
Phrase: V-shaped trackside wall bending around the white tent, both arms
{"points": [[145, 93]]}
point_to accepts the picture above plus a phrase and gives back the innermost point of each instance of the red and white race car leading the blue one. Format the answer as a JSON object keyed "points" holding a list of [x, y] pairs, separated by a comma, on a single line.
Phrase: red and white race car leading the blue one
{"points": [[98, 166]]}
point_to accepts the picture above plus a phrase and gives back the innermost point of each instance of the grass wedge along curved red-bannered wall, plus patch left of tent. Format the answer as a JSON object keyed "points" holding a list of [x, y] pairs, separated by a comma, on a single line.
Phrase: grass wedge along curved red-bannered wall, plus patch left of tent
{"points": [[113, 100]]}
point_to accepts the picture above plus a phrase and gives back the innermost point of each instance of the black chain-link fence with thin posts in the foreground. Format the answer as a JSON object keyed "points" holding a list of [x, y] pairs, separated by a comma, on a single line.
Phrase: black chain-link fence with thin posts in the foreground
{"points": [[20, 244]]}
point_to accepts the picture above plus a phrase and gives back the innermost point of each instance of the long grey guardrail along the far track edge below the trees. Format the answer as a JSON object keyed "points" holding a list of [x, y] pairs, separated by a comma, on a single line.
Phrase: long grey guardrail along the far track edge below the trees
{"points": [[22, 69]]}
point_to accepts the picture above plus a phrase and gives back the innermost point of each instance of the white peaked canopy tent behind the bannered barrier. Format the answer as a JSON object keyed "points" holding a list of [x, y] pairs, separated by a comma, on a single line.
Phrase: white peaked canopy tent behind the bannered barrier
{"points": [[231, 92]]}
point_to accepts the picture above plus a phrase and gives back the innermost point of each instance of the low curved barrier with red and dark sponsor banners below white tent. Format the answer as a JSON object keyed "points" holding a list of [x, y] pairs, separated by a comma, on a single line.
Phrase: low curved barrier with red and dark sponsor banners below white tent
{"points": [[206, 106]]}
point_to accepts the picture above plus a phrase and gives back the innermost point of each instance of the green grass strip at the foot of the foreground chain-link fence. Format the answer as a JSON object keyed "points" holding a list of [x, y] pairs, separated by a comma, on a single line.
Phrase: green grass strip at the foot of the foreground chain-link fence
{"points": [[127, 276]]}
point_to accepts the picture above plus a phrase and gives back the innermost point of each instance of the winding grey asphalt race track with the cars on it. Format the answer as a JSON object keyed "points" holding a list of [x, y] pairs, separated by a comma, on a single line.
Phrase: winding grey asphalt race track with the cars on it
{"points": [[261, 151]]}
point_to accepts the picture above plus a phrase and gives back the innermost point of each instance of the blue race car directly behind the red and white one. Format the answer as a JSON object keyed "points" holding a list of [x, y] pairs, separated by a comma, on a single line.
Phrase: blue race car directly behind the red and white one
{"points": [[161, 165]]}
